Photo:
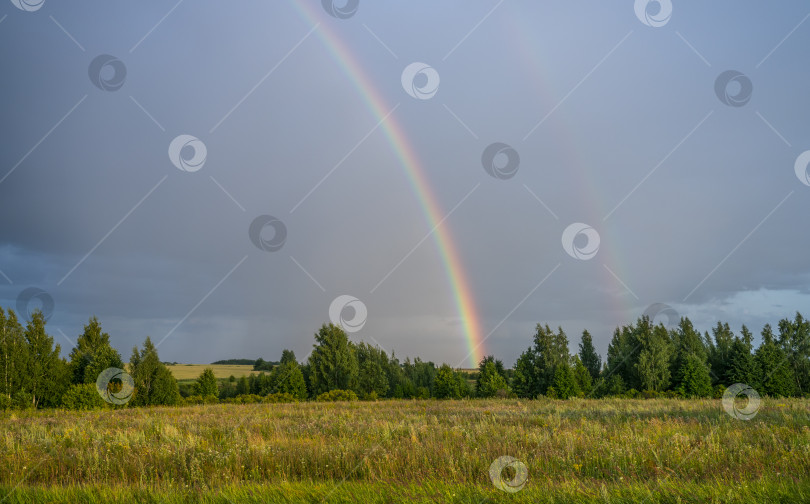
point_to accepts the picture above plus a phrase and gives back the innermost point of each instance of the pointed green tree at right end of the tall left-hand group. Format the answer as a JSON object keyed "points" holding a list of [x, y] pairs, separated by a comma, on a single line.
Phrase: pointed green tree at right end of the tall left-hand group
{"points": [[154, 383]]}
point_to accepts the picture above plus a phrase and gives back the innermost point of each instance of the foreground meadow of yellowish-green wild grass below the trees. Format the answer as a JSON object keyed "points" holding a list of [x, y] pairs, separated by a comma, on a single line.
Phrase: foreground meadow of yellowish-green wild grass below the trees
{"points": [[580, 451]]}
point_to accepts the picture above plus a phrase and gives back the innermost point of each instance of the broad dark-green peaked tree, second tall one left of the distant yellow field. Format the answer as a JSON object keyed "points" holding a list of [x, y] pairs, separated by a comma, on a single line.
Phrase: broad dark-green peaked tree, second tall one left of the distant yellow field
{"points": [[92, 354]]}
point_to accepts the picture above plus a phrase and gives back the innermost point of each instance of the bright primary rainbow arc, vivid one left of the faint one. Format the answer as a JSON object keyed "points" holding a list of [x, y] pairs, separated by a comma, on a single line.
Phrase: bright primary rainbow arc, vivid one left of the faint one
{"points": [[408, 159]]}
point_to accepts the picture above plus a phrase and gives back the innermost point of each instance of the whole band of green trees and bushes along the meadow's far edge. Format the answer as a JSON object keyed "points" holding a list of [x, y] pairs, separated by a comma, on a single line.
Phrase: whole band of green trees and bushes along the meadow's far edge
{"points": [[643, 360]]}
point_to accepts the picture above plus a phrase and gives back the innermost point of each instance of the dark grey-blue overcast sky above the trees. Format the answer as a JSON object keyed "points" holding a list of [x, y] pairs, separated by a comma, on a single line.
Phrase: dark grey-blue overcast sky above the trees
{"points": [[625, 119]]}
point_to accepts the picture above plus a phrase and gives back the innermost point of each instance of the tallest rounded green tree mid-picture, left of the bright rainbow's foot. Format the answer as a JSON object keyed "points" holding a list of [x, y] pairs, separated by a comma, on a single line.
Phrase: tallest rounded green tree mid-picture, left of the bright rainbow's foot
{"points": [[333, 362]]}
